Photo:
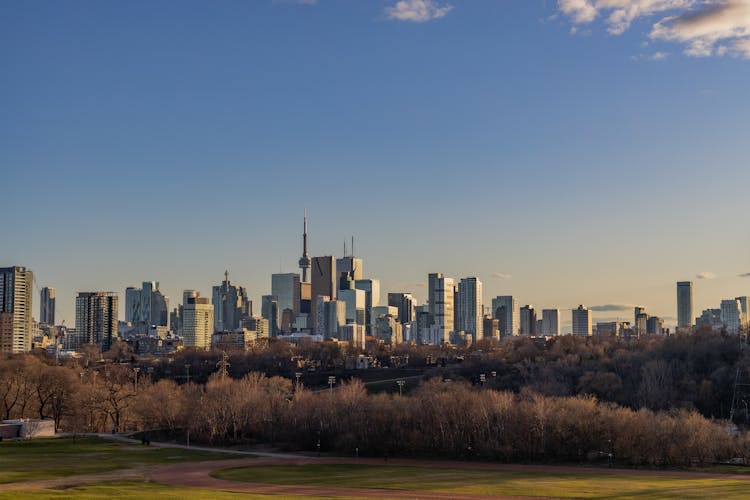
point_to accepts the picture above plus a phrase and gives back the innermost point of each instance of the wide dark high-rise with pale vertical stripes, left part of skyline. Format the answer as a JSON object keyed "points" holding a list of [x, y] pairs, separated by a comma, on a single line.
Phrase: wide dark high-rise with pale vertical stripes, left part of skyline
{"points": [[96, 318]]}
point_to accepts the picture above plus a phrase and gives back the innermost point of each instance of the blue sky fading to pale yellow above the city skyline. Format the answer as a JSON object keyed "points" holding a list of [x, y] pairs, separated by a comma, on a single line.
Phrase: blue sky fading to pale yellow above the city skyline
{"points": [[565, 152]]}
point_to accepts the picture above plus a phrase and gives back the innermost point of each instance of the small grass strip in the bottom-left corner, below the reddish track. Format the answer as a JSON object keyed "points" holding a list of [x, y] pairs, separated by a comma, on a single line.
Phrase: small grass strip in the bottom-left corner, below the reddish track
{"points": [[136, 490]]}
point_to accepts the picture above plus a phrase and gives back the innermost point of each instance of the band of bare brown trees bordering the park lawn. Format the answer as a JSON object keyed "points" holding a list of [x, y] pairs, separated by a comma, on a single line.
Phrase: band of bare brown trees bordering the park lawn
{"points": [[452, 419]]}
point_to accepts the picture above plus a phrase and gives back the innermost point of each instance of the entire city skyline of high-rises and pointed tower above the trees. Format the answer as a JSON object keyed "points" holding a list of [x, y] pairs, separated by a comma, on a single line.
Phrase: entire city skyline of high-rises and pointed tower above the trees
{"points": [[330, 299]]}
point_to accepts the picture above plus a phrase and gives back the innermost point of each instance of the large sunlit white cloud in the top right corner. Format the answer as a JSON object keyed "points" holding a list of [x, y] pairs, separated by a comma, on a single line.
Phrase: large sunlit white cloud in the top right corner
{"points": [[703, 27]]}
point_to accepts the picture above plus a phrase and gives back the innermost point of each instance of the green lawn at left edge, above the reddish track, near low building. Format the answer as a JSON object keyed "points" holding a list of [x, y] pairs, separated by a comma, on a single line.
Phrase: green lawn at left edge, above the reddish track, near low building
{"points": [[48, 458]]}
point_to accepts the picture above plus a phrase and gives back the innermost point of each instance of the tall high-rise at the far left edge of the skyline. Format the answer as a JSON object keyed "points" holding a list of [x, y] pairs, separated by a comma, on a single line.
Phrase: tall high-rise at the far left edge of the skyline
{"points": [[16, 323]]}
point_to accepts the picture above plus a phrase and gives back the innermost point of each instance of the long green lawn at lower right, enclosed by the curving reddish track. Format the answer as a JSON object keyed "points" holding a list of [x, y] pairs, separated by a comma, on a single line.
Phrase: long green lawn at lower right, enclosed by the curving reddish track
{"points": [[494, 482]]}
